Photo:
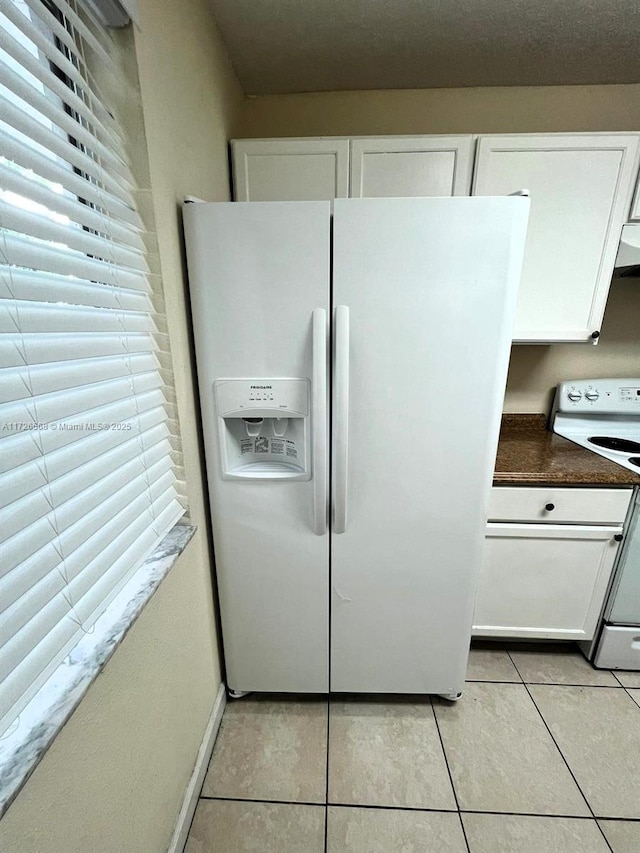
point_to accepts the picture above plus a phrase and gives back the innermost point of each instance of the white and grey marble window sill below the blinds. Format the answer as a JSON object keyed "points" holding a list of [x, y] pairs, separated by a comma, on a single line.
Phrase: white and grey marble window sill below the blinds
{"points": [[22, 747]]}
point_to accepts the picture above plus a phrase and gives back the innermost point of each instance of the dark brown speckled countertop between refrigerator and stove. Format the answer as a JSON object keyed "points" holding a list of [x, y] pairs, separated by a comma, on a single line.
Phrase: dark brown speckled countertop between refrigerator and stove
{"points": [[529, 455]]}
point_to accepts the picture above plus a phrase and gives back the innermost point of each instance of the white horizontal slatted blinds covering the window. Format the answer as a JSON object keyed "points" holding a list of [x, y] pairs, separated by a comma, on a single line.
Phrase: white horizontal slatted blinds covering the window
{"points": [[90, 460]]}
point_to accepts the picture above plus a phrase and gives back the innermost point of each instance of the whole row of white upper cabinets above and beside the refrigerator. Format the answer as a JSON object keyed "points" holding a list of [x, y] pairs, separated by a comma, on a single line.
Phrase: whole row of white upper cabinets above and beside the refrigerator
{"points": [[581, 187]]}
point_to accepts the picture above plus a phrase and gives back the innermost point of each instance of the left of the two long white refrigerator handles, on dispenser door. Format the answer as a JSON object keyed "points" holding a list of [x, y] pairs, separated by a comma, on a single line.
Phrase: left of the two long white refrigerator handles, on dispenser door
{"points": [[319, 421]]}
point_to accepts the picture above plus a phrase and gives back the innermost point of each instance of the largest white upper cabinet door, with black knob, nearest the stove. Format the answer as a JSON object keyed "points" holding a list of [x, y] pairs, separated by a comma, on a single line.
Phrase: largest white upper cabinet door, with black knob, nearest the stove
{"points": [[580, 187]]}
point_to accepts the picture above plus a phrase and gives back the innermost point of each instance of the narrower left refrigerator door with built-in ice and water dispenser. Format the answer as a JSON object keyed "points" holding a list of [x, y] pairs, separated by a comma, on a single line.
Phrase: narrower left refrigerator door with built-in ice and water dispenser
{"points": [[259, 282]]}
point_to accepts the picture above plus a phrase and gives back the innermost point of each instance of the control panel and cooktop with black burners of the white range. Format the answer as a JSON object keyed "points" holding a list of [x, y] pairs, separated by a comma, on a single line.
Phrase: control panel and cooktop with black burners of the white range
{"points": [[602, 415]]}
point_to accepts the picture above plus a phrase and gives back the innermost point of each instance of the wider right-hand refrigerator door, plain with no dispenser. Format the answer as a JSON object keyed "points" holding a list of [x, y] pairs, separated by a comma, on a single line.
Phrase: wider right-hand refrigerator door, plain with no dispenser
{"points": [[430, 286]]}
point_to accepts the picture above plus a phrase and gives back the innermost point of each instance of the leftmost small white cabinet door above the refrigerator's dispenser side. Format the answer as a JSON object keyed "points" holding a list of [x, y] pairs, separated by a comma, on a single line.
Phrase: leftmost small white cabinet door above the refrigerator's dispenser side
{"points": [[290, 169]]}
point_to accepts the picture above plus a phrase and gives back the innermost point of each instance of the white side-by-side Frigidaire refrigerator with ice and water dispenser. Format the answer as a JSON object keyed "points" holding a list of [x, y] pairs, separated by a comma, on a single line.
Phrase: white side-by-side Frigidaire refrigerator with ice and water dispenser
{"points": [[348, 562]]}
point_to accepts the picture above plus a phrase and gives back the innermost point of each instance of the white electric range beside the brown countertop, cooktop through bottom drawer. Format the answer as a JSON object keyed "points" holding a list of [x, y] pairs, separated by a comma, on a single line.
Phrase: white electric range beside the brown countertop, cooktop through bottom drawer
{"points": [[603, 415]]}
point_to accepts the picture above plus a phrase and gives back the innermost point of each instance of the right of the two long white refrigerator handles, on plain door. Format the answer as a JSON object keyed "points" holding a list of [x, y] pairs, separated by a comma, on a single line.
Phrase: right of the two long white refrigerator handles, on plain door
{"points": [[341, 446]]}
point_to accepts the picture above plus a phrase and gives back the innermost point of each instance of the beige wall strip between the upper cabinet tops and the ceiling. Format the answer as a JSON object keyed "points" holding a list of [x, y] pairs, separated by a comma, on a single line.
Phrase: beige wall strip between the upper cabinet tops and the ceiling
{"points": [[524, 109]]}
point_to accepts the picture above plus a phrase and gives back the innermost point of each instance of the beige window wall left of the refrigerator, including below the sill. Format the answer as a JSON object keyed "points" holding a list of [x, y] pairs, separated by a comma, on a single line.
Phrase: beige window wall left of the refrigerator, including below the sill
{"points": [[115, 776]]}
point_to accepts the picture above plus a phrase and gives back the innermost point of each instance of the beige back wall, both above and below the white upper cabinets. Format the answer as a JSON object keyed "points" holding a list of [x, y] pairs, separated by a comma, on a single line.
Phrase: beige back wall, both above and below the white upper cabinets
{"points": [[535, 370]]}
